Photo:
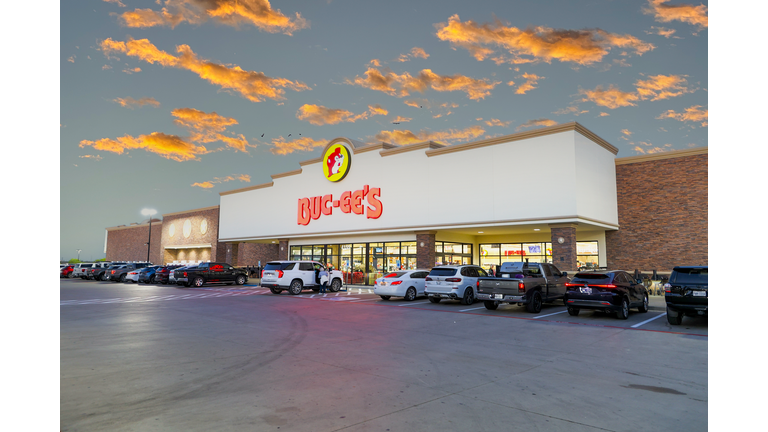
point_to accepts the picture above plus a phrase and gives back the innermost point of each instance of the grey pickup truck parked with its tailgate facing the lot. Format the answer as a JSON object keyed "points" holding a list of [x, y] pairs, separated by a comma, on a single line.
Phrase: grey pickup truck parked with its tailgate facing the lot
{"points": [[523, 283]]}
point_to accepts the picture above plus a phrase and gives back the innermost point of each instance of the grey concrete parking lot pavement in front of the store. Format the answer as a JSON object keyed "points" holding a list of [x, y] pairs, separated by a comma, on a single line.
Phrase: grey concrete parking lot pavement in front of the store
{"points": [[154, 357]]}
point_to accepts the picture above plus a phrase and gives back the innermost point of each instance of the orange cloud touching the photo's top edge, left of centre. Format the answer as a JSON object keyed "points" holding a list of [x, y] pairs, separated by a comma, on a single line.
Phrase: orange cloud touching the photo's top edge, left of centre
{"points": [[258, 13]]}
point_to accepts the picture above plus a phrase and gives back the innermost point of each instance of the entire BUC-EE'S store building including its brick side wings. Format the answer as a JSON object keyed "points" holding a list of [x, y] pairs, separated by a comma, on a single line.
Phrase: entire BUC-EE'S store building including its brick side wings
{"points": [[556, 194]]}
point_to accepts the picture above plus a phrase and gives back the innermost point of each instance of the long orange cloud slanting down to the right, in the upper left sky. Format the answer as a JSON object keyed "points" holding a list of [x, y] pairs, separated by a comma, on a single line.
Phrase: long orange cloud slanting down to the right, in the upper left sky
{"points": [[254, 86]]}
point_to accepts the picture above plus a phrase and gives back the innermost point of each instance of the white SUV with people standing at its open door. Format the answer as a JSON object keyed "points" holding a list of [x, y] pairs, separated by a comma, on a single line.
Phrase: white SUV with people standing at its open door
{"points": [[295, 276]]}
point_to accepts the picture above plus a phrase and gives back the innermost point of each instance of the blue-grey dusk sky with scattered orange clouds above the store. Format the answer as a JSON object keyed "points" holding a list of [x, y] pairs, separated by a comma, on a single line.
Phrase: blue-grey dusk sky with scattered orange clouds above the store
{"points": [[164, 104]]}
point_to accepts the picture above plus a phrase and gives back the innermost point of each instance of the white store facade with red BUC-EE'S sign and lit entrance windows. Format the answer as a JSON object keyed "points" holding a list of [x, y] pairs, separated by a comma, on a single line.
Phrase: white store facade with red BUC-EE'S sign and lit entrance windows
{"points": [[547, 195]]}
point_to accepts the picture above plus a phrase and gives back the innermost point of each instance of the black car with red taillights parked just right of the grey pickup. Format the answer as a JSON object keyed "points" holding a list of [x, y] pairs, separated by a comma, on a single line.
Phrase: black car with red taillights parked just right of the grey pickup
{"points": [[609, 291]]}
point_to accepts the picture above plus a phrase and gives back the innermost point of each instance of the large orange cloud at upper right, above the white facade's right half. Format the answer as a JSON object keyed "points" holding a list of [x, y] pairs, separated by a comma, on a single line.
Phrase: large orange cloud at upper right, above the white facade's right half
{"points": [[540, 44]]}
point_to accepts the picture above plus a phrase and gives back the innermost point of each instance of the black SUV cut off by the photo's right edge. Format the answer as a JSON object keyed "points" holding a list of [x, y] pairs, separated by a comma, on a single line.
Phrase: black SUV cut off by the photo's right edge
{"points": [[686, 293]]}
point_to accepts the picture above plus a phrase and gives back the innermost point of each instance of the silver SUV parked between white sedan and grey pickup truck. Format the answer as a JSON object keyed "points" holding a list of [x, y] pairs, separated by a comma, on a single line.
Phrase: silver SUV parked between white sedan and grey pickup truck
{"points": [[454, 283]]}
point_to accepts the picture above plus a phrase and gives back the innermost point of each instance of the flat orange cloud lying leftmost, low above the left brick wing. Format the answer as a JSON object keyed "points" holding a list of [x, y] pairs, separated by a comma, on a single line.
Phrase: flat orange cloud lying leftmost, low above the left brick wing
{"points": [[168, 146]]}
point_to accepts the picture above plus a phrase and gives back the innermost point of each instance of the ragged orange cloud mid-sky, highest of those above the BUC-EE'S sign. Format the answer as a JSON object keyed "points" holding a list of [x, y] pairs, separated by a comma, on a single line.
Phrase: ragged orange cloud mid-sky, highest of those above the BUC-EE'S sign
{"points": [[403, 85]]}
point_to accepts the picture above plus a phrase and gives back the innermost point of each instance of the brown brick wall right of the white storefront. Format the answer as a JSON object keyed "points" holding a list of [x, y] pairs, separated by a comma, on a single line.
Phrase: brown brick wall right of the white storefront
{"points": [[663, 215]]}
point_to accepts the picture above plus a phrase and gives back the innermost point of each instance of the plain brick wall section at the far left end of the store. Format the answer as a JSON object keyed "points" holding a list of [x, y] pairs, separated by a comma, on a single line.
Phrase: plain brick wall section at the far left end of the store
{"points": [[129, 243]]}
